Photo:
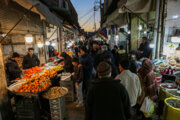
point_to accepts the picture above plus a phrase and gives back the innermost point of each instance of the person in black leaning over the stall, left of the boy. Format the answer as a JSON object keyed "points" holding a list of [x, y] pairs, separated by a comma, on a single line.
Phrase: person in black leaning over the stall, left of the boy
{"points": [[68, 67]]}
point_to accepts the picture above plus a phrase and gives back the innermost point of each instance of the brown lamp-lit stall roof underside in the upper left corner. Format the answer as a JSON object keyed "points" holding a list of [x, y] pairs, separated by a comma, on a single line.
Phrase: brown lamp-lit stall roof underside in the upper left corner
{"points": [[10, 14]]}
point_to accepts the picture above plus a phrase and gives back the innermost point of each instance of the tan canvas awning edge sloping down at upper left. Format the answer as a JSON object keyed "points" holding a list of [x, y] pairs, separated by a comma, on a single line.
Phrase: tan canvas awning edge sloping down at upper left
{"points": [[42, 10]]}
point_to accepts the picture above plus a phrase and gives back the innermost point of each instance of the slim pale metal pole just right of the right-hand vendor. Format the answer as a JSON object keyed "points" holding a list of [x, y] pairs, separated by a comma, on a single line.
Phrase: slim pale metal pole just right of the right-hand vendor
{"points": [[156, 28]]}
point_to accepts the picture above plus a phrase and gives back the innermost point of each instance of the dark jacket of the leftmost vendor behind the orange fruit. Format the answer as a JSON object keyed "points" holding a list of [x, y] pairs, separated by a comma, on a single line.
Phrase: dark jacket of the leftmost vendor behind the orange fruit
{"points": [[12, 69]]}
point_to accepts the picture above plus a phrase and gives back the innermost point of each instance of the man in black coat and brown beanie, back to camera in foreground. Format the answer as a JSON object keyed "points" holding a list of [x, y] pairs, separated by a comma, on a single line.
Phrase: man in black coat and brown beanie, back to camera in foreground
{"points": [[107, 99]]}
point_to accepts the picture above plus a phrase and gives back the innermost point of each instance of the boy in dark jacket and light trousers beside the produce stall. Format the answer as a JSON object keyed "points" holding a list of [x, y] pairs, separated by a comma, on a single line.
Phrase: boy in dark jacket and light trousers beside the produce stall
{"points": [[78, 78]]}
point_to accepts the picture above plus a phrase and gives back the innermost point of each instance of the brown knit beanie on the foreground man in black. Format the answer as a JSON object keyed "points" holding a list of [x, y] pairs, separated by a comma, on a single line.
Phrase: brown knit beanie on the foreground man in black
{"points": [[103, 69]]}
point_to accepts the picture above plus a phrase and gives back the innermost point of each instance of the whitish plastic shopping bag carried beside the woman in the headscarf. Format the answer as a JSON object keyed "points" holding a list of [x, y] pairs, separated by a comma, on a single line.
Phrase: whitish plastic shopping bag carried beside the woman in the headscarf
{"points": [[147, 105]]}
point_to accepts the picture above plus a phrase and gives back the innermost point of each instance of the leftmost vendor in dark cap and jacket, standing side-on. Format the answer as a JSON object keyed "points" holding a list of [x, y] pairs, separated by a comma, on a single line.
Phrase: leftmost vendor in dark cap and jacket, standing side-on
{"points": [[12, 69]]}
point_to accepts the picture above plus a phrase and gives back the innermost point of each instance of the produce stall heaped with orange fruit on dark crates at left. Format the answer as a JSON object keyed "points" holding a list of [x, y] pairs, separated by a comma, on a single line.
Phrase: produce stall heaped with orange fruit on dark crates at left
{"points": [[36, 85]]}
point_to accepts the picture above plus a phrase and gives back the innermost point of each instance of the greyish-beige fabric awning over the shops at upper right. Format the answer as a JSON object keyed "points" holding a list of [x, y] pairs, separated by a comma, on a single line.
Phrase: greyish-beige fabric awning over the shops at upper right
{"points": [[120, 16]]}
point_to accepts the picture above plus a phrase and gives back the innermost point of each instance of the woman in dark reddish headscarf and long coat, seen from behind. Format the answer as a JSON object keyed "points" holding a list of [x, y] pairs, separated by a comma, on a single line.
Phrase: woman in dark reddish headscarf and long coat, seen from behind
{"points": [[148, 81]]}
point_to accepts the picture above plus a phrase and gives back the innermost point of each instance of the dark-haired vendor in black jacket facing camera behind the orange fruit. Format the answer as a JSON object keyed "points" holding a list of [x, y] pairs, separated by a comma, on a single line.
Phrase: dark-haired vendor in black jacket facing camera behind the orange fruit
{"points": [[30, 60]]}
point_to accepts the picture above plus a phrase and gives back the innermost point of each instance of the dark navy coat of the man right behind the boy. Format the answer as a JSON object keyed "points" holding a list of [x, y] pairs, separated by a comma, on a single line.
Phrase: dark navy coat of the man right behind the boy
{"points": [[87, 63]]}
